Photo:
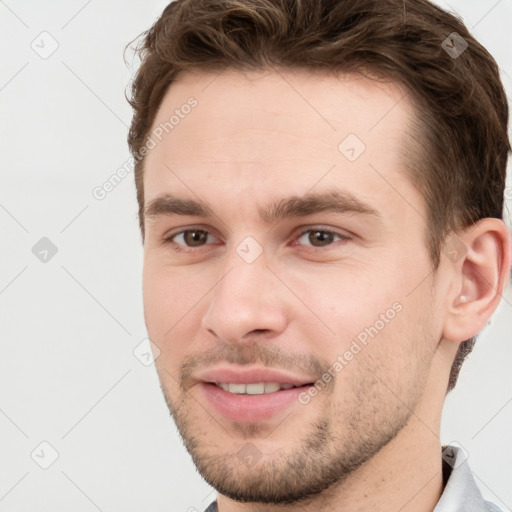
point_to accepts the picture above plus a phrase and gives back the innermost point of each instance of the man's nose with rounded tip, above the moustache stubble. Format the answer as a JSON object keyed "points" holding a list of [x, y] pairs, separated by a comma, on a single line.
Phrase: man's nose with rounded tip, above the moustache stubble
{"points": [[247, 301]]}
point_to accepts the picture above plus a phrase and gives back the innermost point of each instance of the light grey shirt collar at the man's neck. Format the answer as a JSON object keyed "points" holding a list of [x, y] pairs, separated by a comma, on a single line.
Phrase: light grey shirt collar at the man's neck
{"points": [[460, 493]]}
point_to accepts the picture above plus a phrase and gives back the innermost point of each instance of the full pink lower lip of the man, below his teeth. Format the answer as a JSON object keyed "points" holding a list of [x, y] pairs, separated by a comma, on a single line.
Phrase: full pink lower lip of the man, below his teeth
{"points": [[250, 408]]}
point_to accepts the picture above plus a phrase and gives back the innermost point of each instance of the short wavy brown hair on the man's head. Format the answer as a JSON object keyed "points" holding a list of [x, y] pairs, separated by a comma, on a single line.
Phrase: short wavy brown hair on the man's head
{"points": [[459, 149]]}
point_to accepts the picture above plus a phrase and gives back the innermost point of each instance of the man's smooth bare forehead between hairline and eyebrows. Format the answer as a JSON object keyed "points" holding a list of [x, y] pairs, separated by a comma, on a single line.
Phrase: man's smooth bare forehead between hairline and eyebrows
{"points": [[279, 130]]}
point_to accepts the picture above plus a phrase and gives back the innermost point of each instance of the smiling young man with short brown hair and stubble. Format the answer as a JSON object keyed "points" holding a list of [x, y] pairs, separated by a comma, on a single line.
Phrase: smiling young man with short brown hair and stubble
{"points": [[320, 188]]}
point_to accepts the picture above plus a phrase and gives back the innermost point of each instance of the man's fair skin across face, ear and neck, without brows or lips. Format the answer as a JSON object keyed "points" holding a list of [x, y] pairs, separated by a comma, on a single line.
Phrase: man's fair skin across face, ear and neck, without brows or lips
{"points": [[369, 440]]}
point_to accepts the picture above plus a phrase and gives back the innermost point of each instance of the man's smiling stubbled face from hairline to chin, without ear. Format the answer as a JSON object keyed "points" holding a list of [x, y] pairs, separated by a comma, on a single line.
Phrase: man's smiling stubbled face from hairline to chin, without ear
{"points": [[287, 284]]}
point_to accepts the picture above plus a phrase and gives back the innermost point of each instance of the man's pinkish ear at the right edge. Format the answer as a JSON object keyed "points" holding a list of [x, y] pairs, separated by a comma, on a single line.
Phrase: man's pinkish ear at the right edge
{"points": [[480, 259]]}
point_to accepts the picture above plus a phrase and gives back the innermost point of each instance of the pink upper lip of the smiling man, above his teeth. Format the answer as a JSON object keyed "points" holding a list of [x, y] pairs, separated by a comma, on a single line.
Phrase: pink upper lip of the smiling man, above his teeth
{"points": [[230, 375]]}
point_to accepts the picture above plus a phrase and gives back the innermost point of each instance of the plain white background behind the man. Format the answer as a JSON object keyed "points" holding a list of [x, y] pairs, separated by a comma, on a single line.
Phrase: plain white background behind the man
{"points": [[69, 326]]}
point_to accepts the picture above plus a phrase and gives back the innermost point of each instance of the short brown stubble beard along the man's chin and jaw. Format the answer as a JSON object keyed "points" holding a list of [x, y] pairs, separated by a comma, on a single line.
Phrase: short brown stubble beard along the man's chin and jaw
{"points": [[325, 452]]}
